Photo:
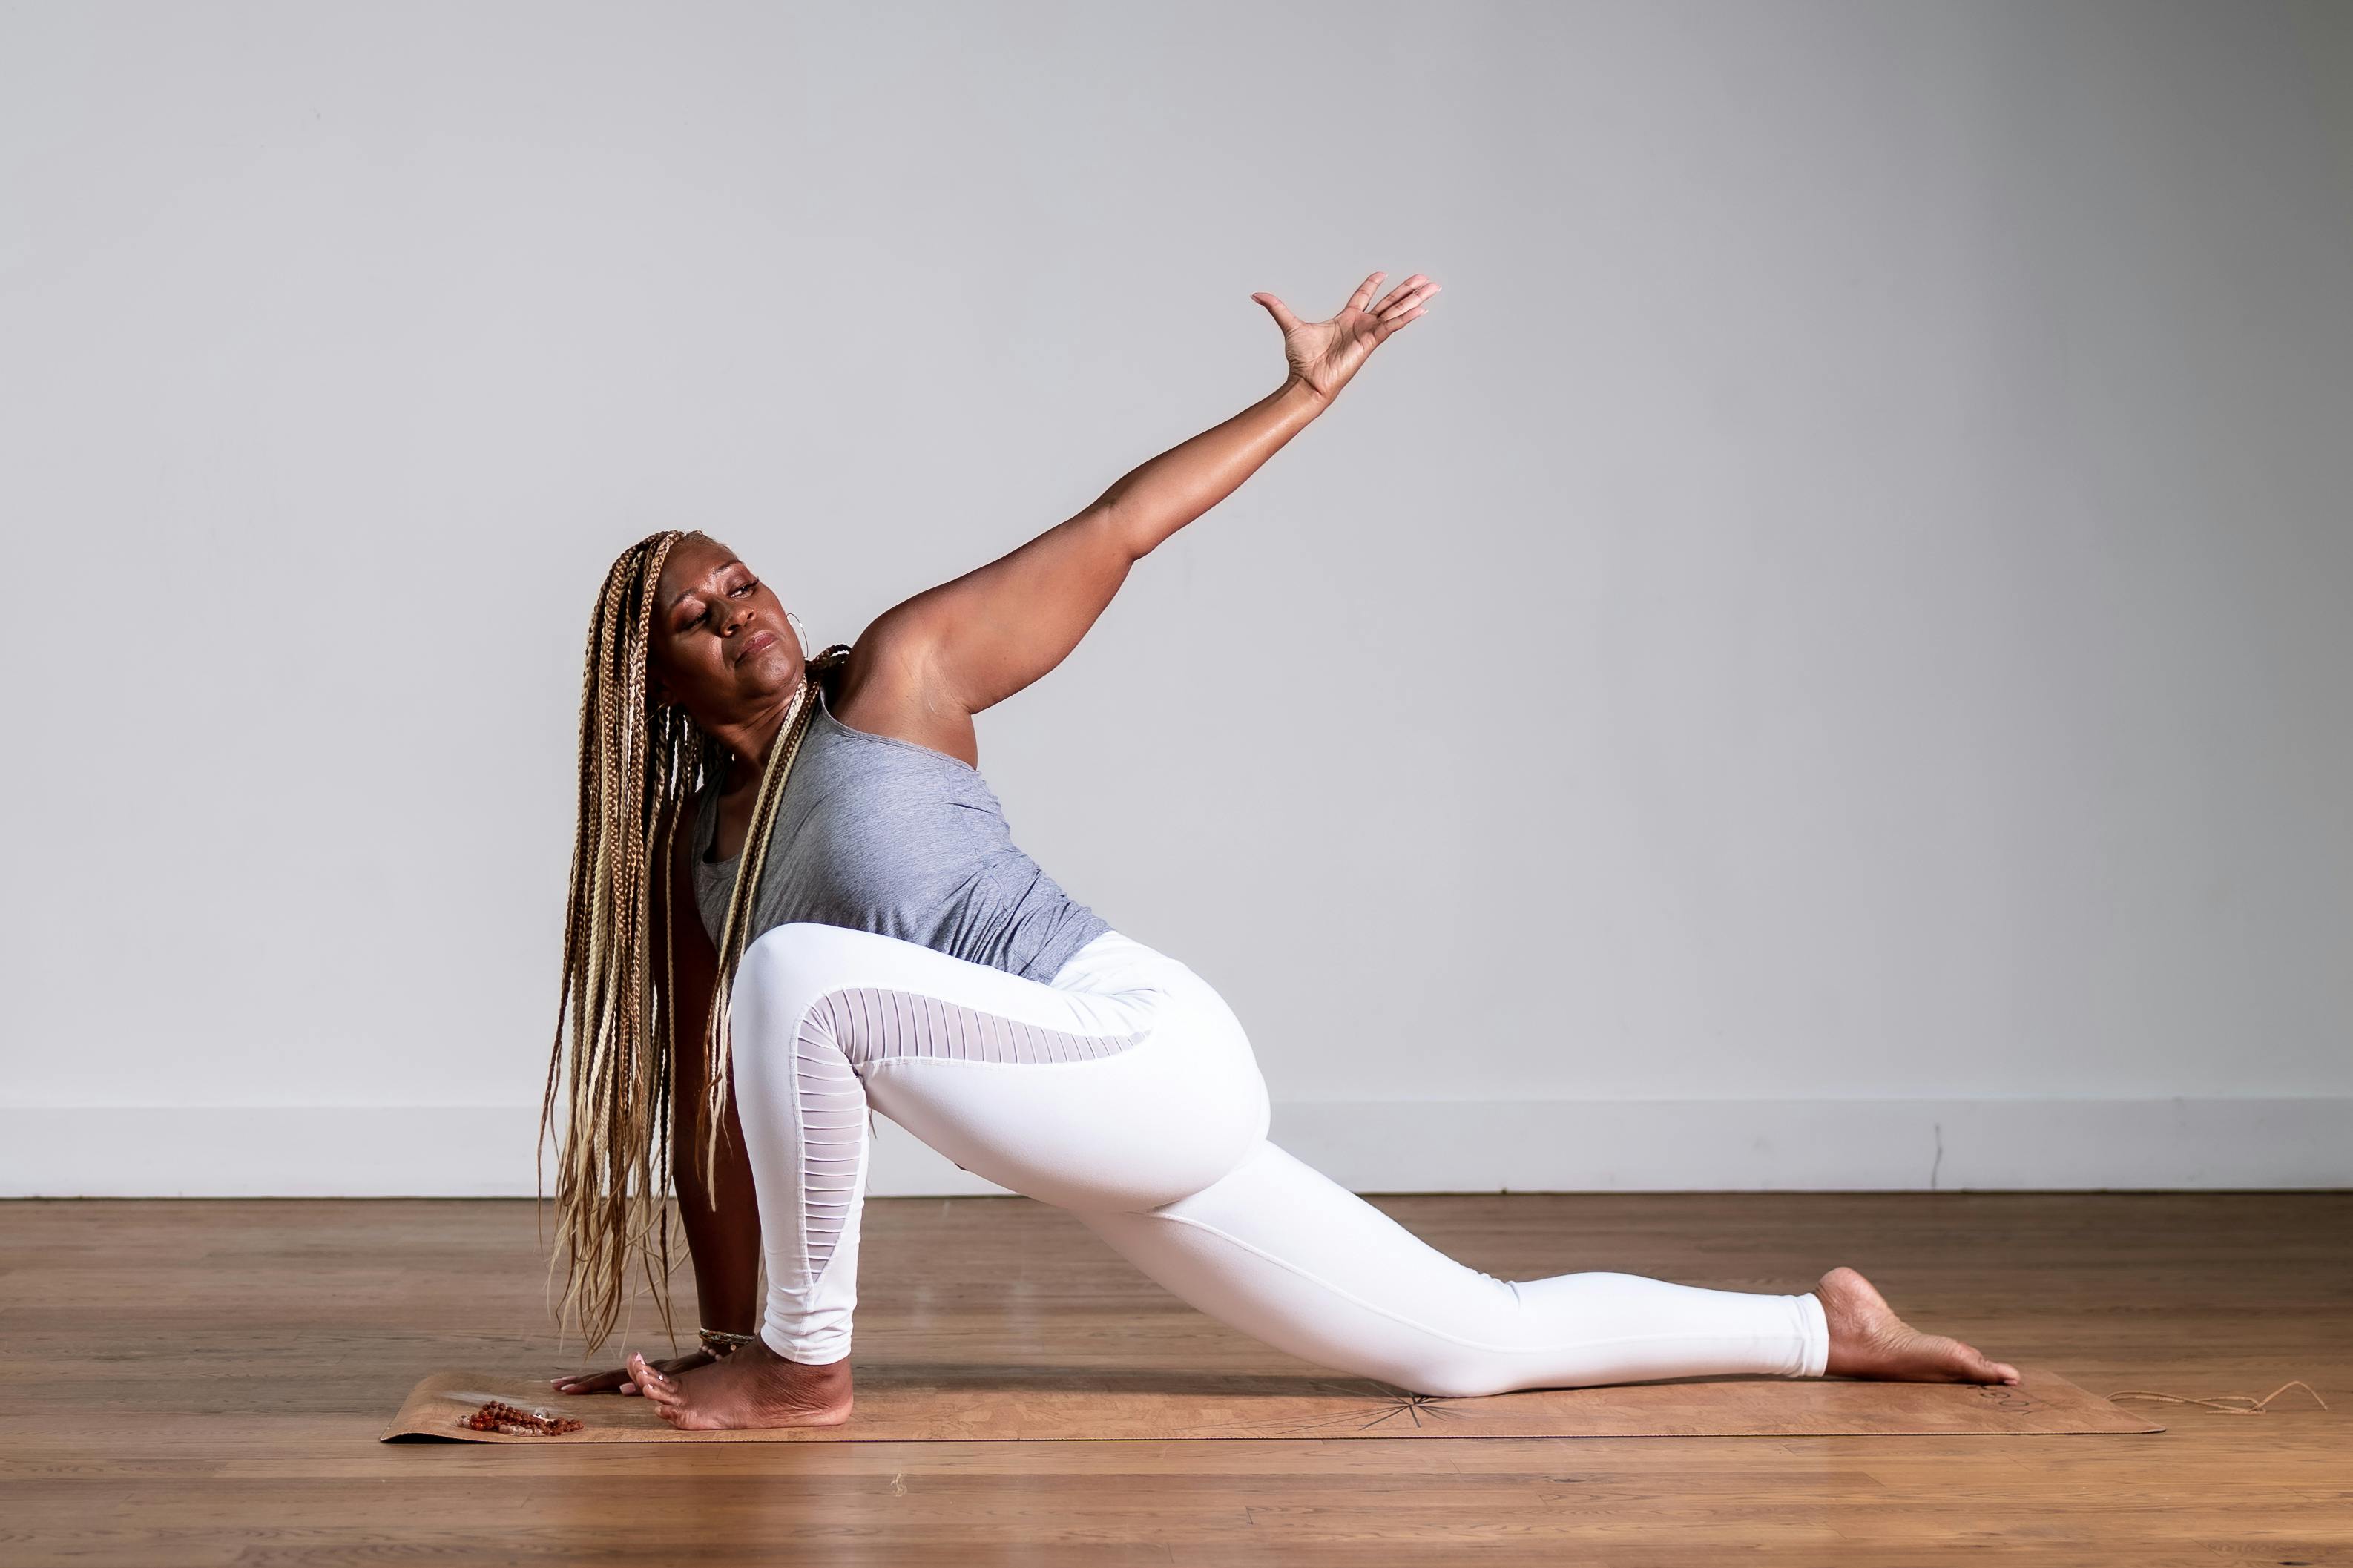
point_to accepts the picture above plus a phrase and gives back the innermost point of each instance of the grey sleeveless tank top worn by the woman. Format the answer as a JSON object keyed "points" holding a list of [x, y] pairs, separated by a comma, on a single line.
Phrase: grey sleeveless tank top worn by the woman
{"points": [[898, 839]]}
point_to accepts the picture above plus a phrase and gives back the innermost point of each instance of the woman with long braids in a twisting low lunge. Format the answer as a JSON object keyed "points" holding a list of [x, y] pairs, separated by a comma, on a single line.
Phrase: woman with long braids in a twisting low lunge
{"points": [[872, 938]]}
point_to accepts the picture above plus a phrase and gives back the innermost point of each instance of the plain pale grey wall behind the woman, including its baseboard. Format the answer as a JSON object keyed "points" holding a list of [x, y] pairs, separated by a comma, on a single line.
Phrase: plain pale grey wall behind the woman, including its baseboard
{"points": [[1822, 663]]}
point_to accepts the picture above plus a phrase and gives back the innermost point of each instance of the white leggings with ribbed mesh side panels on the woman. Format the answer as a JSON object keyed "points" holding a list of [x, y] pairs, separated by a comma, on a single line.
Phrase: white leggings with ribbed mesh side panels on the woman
{"points": [[1126, 1094]]}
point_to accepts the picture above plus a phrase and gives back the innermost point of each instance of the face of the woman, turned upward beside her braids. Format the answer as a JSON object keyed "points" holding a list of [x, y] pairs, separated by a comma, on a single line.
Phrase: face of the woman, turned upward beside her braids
{"points": [[721, 646]]}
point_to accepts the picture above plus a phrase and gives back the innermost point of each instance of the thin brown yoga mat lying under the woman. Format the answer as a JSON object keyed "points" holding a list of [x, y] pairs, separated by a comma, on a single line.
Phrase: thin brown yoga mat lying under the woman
{"points": [[978, 1404]]}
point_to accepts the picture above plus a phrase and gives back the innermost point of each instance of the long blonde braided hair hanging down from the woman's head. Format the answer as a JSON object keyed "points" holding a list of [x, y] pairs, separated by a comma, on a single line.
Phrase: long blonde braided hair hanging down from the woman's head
{"points": [[639, 769]]}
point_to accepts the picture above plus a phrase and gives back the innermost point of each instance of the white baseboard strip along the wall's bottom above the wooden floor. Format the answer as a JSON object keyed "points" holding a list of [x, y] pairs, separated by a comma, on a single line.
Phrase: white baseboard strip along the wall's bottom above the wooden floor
{"points": [[1387, 1145]]}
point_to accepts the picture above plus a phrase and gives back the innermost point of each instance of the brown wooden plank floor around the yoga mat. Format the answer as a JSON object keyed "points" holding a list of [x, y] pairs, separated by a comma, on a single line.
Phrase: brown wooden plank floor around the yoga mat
{"points": [[204, 1383]]}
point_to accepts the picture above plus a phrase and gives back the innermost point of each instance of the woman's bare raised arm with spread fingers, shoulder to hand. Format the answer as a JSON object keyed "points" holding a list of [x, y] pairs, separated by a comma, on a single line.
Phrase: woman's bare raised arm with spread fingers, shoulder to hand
{"points": [[1001, 627]]}
